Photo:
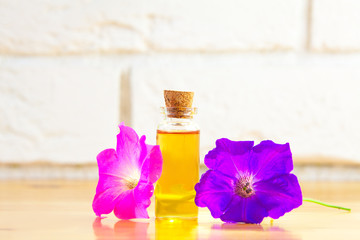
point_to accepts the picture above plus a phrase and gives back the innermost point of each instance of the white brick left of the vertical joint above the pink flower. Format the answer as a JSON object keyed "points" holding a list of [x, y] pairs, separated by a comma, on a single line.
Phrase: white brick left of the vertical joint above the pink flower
{"points": [[57, 109]]}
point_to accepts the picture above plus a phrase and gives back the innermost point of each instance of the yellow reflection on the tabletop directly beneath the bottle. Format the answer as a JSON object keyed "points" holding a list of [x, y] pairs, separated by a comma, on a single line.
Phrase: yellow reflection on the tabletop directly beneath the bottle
{"points": [[176, 228]]}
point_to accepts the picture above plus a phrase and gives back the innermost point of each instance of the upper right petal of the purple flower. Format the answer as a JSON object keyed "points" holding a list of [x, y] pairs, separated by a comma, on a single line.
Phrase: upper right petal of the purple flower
{"points": [[270, 159]]}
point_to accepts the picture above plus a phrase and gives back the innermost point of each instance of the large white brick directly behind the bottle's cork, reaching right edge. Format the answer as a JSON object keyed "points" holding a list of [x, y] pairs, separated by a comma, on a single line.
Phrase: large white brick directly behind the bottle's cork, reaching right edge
{"points": [[311, 102]]}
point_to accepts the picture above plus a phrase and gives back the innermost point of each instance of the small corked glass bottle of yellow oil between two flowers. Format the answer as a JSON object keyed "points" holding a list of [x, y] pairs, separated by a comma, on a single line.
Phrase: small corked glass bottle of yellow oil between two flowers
{"points": [[178, 136]]}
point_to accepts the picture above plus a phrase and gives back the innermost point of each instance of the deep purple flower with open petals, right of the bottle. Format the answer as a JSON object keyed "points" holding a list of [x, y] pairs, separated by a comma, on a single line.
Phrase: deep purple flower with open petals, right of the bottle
{"points": [[246, 183]]}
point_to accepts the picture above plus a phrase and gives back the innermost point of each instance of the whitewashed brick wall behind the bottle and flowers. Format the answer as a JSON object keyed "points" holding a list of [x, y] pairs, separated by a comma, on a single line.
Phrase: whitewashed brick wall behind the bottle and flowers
{"points": [[72, 70]]}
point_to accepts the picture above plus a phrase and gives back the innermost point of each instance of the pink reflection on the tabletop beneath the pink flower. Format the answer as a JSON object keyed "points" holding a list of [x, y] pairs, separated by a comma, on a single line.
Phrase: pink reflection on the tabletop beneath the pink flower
{"points": [[123, 229]]}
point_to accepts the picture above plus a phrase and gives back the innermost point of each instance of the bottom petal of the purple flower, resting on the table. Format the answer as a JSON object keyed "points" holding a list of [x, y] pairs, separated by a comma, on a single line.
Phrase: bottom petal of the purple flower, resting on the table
{"points": [[247, 210]]}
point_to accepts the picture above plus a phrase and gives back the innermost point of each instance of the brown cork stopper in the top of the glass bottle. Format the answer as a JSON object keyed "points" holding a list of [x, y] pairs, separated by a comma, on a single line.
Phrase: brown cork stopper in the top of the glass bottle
{"points": [[178, 103]]}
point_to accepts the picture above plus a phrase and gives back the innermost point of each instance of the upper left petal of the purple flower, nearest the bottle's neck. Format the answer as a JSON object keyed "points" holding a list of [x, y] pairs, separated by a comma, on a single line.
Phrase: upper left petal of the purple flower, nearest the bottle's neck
{"points": [[229, 157]]}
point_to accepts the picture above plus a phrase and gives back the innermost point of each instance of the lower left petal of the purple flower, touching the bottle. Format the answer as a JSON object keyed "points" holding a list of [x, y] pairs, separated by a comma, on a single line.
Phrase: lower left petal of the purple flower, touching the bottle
{"points": [[214, 191]]}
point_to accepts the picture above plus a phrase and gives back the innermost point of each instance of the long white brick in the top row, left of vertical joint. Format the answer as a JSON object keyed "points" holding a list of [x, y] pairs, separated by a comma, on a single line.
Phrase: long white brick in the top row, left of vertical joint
{"points": [[76, 27]]}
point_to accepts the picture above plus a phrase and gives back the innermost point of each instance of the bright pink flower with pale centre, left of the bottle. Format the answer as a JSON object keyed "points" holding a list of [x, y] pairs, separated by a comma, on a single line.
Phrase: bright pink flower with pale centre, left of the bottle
{"points": [[126, 176]]}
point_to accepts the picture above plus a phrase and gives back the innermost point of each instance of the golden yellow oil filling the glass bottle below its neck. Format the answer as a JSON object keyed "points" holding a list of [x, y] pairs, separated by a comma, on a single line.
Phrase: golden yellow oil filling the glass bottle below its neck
{"points": [[174, 193]]}
